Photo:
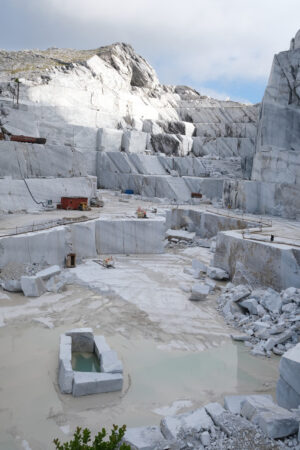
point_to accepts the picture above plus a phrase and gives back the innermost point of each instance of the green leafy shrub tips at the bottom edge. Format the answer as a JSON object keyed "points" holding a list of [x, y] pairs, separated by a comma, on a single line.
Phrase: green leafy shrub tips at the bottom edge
{"points": [[82, 440]]}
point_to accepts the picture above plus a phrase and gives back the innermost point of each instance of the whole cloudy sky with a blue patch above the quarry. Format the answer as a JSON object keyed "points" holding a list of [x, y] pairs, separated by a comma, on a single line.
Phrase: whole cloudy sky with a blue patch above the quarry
{"points": [[223, 48]]}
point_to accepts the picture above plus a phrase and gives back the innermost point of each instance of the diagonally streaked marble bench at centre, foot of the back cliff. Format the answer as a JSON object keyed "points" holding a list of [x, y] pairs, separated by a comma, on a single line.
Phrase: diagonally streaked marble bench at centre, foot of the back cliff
{"points": [[174, 178]]}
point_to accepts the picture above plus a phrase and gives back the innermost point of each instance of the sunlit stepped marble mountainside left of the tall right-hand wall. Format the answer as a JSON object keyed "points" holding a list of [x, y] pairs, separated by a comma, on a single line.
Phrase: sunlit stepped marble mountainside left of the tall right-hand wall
{"points": [[113, 113]]}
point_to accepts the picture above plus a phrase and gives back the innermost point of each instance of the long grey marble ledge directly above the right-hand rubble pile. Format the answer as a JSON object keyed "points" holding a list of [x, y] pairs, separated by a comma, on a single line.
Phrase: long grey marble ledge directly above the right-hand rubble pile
{"points": [[259, 263]]}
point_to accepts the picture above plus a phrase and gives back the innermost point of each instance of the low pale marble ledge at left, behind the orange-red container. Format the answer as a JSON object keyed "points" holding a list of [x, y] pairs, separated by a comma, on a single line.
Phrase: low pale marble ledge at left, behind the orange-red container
{"points": [[14, 195]]}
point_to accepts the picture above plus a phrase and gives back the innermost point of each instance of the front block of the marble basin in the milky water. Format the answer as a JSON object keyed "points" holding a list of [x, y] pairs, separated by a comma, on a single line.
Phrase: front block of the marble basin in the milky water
{"points": [[86, 383]]}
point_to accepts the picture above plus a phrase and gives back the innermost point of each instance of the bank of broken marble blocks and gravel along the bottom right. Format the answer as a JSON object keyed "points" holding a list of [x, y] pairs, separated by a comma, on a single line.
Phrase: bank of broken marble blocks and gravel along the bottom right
{"points": [[246, 422]]}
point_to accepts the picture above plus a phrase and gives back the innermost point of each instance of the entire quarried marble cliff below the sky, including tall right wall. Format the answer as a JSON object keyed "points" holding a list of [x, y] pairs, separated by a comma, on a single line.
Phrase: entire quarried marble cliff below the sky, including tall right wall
{"points": [[104, 112]]}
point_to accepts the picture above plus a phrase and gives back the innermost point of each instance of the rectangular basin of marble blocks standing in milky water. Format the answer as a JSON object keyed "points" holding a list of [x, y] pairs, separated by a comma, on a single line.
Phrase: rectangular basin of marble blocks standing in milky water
{"points": [[109, 379]]}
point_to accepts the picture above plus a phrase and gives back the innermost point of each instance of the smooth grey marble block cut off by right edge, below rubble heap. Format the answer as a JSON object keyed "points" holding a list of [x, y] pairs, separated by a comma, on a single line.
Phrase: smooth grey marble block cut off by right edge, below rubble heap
{"points": [[288, 386]]}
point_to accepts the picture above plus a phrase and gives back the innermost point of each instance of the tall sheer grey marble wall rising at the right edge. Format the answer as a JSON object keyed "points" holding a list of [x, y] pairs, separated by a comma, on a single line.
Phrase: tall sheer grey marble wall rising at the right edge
{"points": [[274, 187]]}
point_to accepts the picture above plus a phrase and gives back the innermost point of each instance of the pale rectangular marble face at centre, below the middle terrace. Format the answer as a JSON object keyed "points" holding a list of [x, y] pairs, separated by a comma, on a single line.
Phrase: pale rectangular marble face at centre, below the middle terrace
{"points": [[130, 236]]}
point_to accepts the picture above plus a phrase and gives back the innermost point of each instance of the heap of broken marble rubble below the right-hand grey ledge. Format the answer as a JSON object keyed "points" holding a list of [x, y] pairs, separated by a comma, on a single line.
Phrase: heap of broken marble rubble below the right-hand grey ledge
{"points": [[270, 321]]}
